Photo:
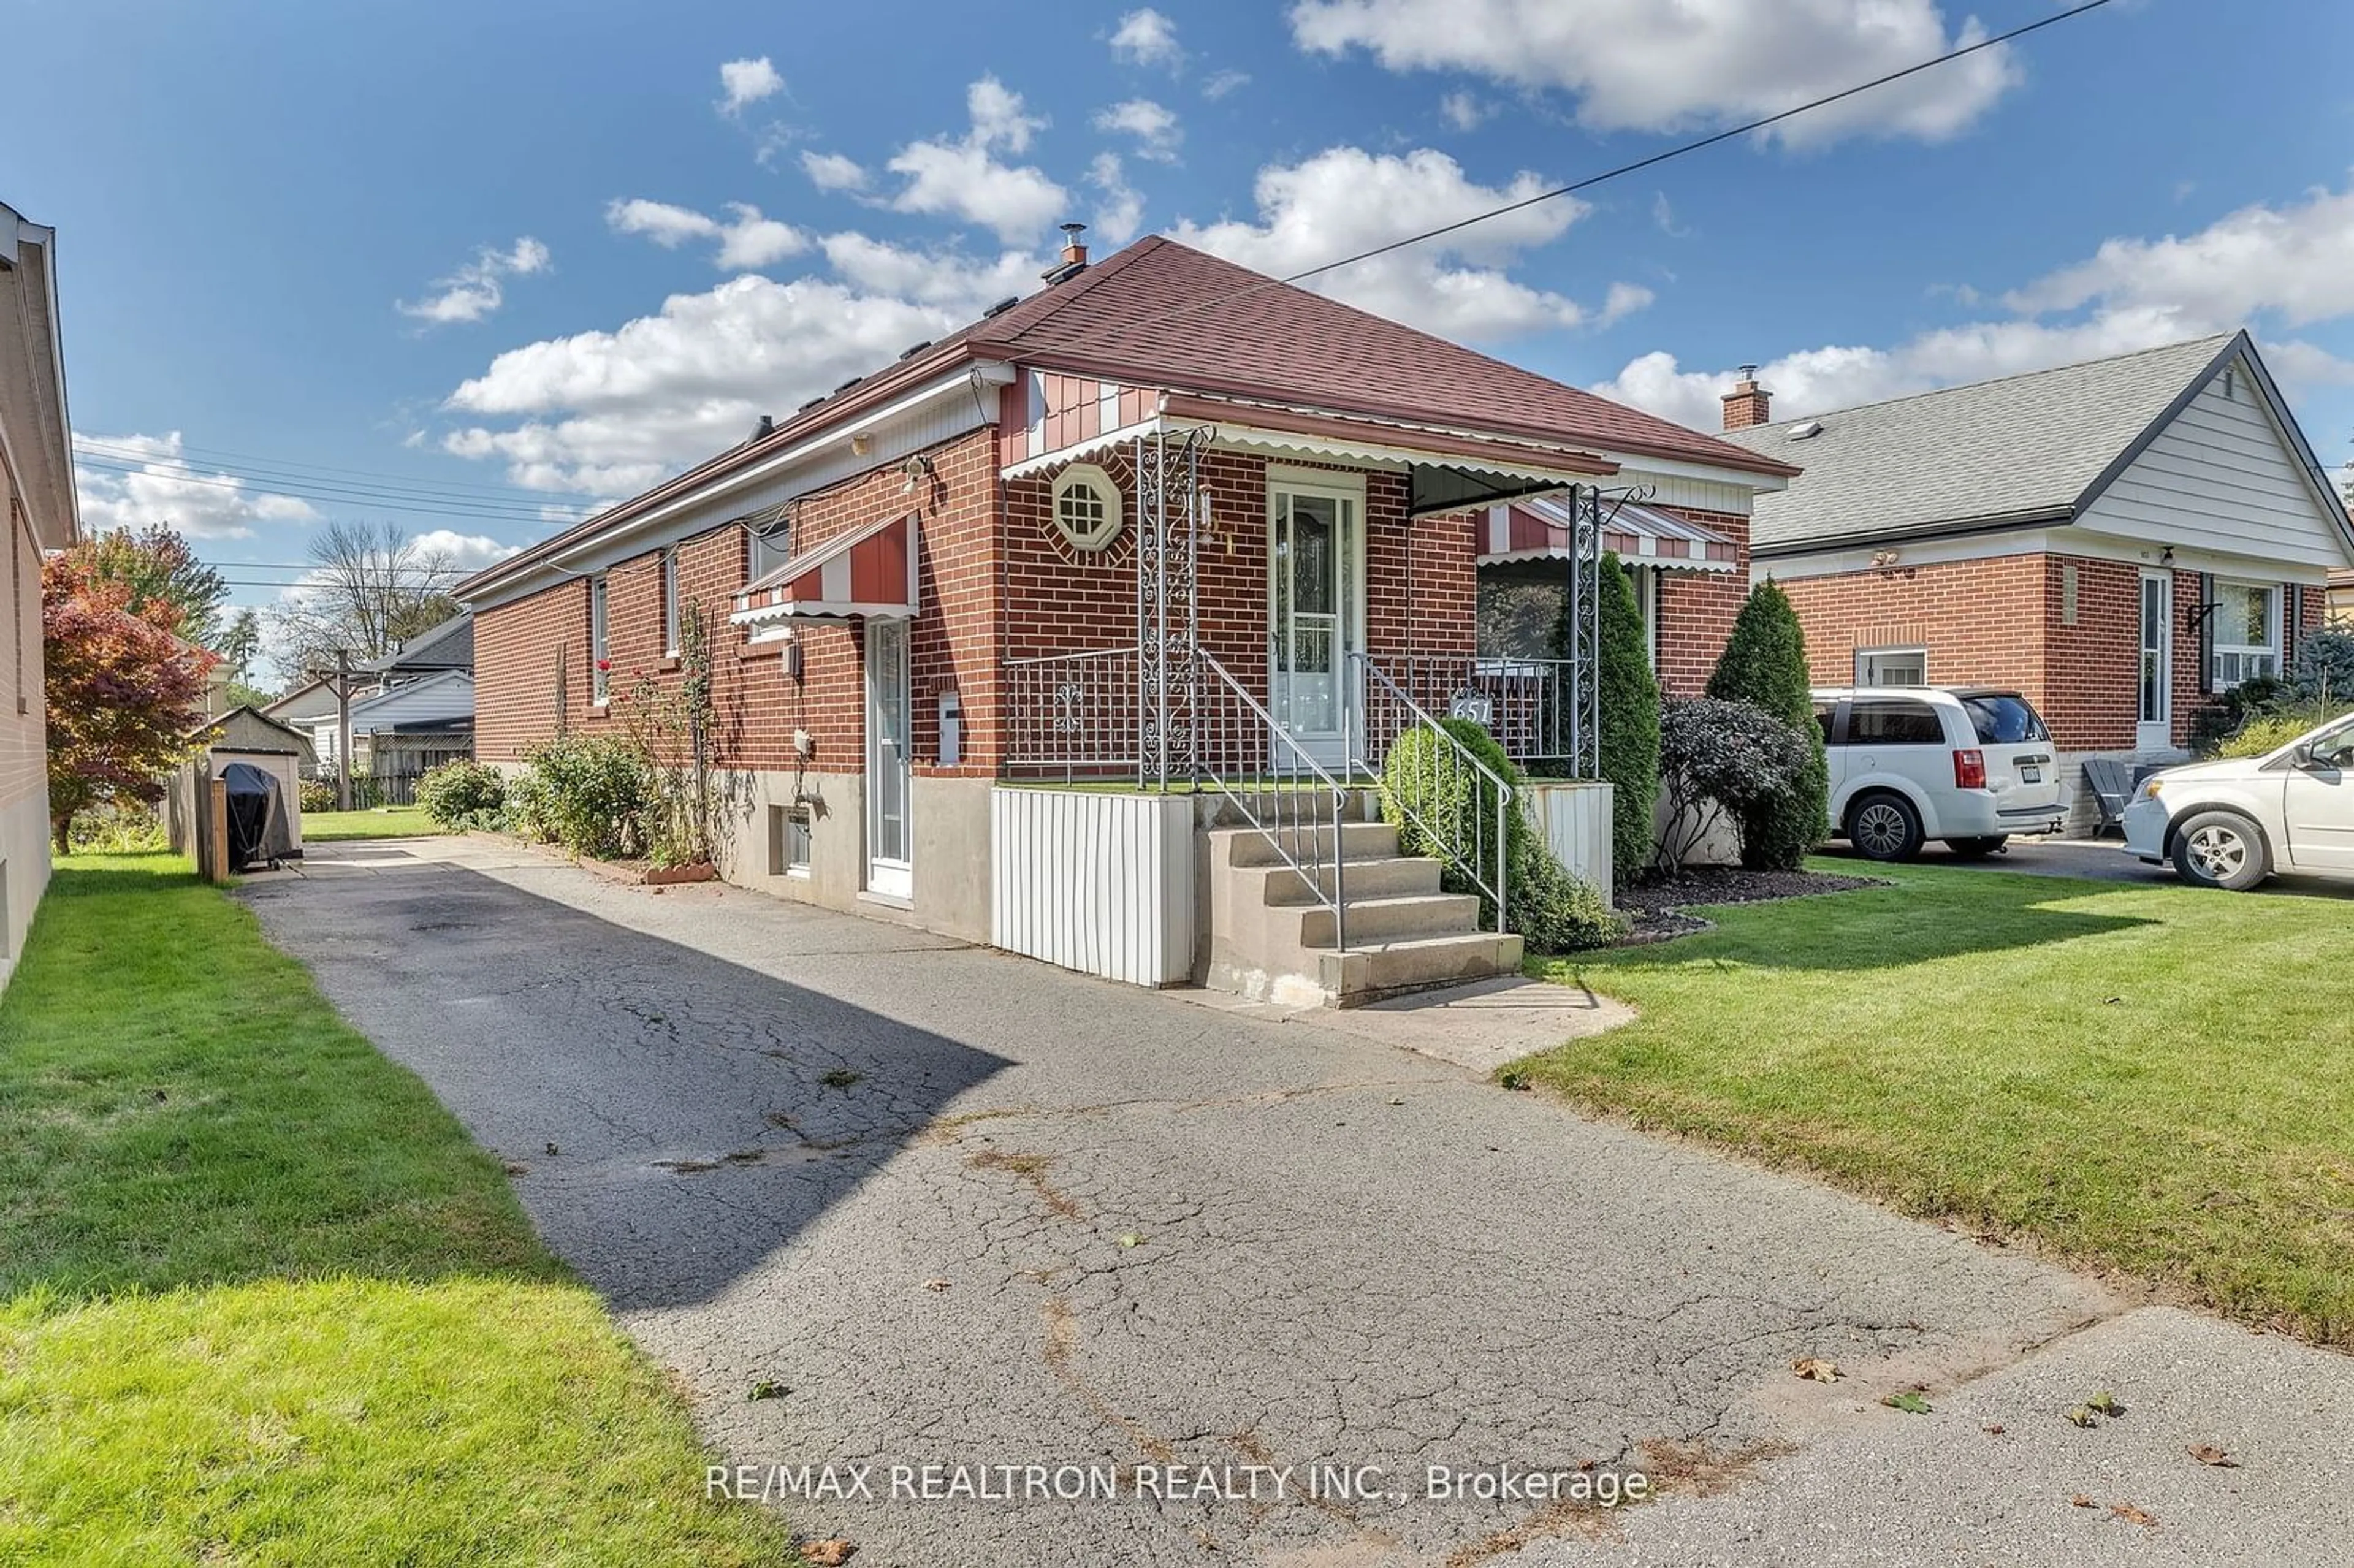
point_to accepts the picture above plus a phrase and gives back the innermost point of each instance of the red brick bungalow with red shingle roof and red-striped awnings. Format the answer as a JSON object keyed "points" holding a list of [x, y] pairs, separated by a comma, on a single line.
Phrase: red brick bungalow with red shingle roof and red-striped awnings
{"points": [[952, 576]]}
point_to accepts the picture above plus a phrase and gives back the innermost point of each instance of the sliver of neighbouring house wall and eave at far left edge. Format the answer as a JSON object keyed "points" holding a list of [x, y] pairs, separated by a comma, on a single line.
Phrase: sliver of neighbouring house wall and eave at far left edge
{"points": [[36, 489]]}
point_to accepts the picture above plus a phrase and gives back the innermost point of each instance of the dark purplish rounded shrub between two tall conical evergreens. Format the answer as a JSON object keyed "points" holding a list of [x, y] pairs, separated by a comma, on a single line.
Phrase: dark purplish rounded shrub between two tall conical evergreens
{"points": [[1727, 759]]}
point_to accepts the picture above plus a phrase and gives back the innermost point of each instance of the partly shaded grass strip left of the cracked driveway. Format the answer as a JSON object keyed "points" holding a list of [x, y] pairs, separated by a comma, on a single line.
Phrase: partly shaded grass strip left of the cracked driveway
{"points": [[265, 1303]]}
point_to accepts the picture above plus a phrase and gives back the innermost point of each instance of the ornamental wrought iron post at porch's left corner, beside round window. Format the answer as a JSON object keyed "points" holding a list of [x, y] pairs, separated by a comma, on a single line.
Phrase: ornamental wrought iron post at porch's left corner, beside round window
{"points": [[1169, 611]]}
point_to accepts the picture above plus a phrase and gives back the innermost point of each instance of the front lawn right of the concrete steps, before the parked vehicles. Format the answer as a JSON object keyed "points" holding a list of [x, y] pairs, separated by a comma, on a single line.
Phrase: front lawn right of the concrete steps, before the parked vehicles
{"points": [[2146, 1077]]}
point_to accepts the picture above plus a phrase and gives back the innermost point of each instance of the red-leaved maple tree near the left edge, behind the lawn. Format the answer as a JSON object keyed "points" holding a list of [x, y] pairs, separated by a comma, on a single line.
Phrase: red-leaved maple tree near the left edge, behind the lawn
{"points": [[124, 689]]}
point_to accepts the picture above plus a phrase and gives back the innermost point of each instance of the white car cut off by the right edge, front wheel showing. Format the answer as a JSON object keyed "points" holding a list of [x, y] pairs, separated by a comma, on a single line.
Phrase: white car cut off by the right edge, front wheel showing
{"points": [[2237, 820]]}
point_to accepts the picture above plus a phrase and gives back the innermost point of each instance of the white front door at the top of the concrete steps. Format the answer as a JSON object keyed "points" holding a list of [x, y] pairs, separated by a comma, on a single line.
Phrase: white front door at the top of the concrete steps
{"points": [[1317, 613]]}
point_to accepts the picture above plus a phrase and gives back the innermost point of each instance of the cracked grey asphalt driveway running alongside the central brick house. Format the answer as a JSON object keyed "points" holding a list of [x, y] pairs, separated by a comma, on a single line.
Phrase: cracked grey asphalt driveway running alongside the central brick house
{"points": [[947, 1207]]}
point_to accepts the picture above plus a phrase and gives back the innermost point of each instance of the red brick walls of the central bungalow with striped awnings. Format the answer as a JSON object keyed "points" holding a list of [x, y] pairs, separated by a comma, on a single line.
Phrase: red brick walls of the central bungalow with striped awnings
{"points": [[997, 583]]}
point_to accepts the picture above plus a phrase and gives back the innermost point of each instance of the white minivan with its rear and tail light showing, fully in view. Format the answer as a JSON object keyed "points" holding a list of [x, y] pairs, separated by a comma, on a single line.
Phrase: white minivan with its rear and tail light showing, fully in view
{"points": [[1962, 764]]}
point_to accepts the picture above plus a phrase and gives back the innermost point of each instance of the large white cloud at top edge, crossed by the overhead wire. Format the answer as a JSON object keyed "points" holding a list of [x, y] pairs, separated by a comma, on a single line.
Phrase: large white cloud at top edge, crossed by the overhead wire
{"points": [[1640, 65]]}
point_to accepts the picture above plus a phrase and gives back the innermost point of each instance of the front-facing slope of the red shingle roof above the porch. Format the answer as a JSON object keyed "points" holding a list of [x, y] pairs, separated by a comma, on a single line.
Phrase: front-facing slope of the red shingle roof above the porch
{"points": [[1164, 314]]}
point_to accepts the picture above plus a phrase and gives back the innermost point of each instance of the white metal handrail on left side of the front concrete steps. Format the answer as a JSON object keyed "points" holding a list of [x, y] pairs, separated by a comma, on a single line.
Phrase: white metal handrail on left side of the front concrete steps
{"points": [[1235, 729]]}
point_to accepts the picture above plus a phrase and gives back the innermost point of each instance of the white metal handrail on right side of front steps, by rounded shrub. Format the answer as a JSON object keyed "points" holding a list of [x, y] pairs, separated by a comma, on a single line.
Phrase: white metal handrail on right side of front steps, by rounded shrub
{"points": [[1439, 771]]}
